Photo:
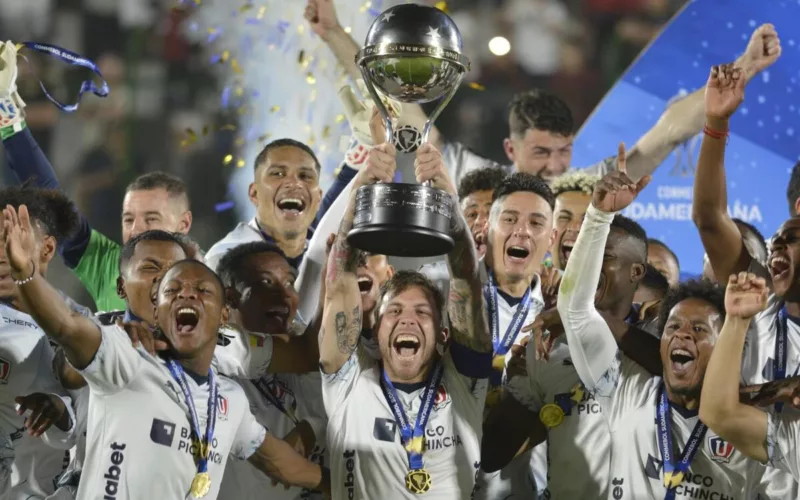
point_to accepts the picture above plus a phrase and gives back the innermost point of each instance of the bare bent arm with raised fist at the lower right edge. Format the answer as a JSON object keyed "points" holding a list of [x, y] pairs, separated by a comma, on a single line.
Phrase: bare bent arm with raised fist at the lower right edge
{"points": [[745, 427]]}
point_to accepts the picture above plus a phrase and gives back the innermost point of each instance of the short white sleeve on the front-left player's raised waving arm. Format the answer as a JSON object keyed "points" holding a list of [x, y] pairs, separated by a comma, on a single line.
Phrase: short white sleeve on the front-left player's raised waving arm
{"points": [[115, 364]]}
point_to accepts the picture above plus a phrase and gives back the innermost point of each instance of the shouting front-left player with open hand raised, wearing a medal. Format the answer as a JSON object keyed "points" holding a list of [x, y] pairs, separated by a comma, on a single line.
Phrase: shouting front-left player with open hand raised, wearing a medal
{"points": [[124, 381]]}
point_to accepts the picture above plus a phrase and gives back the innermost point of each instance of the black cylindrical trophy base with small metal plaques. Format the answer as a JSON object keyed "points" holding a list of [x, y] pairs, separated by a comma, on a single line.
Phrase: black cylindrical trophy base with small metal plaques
{"points": [[402, 220]]}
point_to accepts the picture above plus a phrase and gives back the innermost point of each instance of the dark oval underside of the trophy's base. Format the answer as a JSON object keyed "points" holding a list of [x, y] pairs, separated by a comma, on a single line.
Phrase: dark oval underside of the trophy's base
{"points": [[400, 241]]}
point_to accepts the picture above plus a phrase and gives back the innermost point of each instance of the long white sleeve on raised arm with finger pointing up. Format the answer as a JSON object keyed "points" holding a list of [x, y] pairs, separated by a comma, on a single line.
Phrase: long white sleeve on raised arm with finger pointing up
{"points": [[592, 346]]}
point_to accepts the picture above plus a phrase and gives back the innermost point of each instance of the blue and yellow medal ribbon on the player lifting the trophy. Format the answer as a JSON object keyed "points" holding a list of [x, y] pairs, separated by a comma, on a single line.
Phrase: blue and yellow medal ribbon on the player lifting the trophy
{"points": [[413, 439]]}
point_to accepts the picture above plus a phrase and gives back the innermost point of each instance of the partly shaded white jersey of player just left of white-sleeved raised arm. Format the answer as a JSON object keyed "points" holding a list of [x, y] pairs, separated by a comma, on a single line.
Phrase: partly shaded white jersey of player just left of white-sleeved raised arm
{"points": [[577, 449]]}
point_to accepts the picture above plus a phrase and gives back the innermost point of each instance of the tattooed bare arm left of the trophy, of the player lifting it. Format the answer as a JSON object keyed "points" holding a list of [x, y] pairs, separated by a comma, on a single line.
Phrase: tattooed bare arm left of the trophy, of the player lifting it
{"points": [[341, 318]]}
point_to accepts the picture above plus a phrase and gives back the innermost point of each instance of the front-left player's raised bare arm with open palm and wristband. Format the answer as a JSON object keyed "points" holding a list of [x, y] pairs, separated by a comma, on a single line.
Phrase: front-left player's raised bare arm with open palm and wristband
{"points": [[78, 335]]}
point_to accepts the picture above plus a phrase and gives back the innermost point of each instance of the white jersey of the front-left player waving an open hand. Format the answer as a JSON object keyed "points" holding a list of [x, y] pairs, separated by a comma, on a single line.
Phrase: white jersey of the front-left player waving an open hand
{"points": [[139, 434]]}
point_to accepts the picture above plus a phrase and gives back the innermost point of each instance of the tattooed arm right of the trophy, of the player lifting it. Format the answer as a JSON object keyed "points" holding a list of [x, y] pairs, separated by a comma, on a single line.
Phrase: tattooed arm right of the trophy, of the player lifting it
{"points": [[465, 304]]}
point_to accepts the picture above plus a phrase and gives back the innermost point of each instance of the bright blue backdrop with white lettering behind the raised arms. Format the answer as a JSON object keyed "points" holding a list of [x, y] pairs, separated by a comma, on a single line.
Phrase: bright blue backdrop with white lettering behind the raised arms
{"points": [[765, 132]]}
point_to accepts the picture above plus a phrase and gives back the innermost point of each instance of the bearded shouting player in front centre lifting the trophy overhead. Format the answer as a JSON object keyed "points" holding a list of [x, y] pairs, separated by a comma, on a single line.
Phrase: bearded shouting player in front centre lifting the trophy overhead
{"points": [[423, 432]]}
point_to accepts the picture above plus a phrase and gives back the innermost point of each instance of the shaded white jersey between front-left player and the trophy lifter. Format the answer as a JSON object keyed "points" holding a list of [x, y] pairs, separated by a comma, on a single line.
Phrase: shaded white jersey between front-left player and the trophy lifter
{"points": [[301, 398]]}
